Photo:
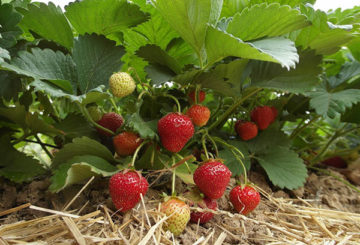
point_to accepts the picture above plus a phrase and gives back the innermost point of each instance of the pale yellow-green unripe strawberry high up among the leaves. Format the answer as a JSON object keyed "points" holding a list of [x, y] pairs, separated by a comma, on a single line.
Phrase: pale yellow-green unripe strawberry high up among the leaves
{"points": [[121, 84]]}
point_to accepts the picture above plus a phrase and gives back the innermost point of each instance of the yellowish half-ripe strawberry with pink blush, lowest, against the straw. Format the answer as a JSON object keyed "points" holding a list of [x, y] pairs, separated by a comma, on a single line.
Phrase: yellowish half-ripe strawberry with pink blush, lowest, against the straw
{"points": [[179, 213]]}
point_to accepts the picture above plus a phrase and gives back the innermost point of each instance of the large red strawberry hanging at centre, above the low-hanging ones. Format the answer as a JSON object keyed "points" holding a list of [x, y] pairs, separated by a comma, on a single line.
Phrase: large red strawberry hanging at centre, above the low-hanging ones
{"points": [[175, 130]]}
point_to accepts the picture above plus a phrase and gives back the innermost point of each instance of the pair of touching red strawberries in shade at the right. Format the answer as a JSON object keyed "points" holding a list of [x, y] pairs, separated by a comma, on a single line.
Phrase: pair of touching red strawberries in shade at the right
{"points": [[261, 118]]}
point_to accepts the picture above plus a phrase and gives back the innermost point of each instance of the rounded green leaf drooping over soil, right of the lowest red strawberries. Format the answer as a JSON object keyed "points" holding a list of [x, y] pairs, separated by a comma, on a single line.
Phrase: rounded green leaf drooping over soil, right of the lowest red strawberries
{"points": [[284, 168]]}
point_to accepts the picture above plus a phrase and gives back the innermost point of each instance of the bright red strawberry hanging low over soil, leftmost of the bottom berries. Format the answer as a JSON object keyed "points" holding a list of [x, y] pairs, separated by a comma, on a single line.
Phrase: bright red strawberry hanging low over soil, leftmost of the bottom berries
{"points": [[125, 188]]}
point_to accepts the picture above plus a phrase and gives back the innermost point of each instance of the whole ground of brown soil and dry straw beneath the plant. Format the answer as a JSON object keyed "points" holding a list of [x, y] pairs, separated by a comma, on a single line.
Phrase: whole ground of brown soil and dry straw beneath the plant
{"points": [[325, 211]]}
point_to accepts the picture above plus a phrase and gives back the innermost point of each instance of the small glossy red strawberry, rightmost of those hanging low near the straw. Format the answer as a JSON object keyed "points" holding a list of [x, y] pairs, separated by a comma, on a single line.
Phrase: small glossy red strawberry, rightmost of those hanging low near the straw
{"points": [[244, 199]]}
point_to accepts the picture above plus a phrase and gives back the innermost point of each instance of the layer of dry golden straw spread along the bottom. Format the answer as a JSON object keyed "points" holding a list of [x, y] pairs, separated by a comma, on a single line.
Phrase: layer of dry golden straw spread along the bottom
{"points": [[277, 220]]}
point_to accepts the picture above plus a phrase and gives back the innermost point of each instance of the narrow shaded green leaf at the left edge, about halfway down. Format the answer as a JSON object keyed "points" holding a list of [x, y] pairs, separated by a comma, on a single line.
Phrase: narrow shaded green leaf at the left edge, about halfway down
{"points": [[27, 120]]}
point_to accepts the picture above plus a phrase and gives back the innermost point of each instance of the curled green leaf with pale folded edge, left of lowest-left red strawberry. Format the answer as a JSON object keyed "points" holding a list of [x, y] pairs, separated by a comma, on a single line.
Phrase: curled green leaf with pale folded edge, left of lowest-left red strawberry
{"points": [[78, 169]]}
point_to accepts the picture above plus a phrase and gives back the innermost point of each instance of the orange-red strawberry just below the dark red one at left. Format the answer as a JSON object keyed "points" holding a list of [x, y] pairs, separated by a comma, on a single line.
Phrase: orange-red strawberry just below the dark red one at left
{"points": [[126, 143]]}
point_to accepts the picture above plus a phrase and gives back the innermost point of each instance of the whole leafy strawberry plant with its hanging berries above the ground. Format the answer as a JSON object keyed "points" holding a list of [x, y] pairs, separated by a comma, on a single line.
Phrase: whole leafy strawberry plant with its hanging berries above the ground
{"points": [[155, 81]]}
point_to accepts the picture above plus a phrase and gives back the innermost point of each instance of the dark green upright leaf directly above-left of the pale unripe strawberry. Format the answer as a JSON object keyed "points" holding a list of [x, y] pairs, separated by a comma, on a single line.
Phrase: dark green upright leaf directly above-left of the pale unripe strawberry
{"points": [[96, 58]]}
